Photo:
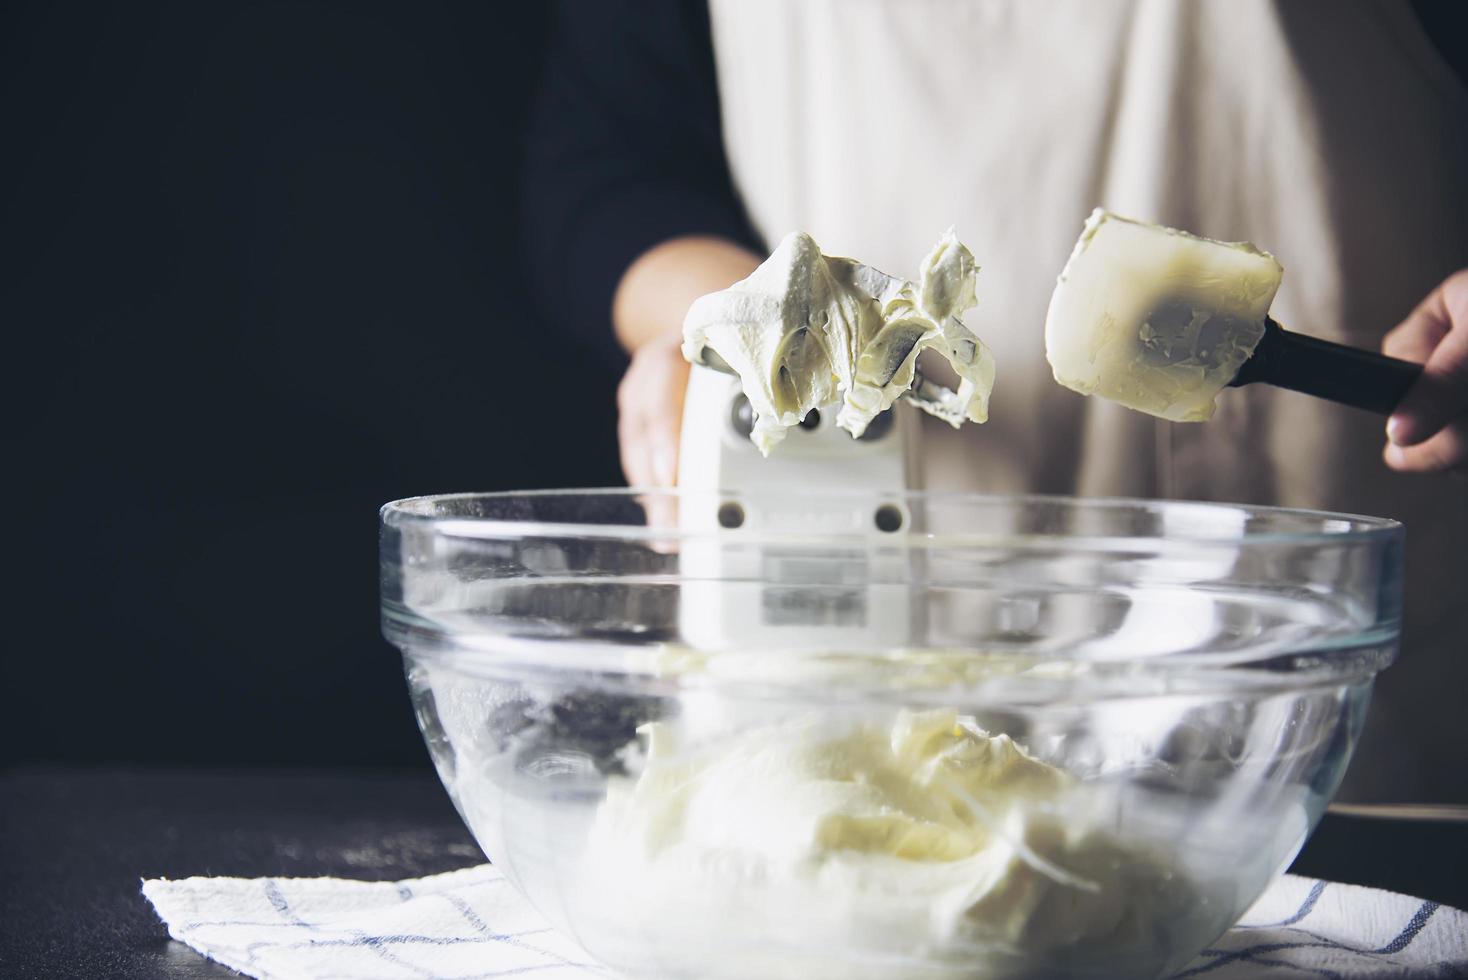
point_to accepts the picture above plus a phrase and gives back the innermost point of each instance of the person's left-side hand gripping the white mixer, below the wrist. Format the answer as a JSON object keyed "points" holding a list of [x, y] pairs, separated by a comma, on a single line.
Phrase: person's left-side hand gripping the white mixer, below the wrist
{"points": [[650, 406]]}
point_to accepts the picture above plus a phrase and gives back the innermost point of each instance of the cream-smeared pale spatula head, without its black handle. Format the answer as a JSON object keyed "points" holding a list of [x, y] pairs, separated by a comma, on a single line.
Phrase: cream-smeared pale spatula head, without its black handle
{"points": [[1156, 319]]}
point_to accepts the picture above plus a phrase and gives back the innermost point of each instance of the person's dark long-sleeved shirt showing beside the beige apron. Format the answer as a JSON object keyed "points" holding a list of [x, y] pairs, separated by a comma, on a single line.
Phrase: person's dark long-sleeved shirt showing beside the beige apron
{"points": [[625, 149]]}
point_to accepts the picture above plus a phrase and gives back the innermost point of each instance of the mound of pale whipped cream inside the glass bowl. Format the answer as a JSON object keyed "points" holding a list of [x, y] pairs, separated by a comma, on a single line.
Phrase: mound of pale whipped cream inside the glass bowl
{"points": [[899, 844]]}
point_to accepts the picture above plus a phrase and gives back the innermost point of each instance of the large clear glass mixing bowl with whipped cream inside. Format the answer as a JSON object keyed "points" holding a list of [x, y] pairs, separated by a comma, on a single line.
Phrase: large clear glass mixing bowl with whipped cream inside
{"points": [[887, 736]]}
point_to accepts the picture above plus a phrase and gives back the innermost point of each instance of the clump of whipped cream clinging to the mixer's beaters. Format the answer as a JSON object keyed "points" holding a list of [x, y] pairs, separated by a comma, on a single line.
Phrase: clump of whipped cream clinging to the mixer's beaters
{"points": [[810, 331]]}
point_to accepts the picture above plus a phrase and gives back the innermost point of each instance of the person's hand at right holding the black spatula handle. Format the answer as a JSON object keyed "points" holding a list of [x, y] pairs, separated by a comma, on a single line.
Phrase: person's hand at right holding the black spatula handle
{"points": [[1429, 432]]}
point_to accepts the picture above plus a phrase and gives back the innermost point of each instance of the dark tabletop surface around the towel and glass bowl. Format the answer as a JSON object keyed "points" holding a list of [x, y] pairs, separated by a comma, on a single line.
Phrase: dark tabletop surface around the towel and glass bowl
{"points": [[74, 846]]}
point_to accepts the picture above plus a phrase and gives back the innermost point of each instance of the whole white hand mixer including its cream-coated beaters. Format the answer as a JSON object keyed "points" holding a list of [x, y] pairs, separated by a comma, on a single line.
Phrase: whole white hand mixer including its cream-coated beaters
{"points": [[824, 350]]}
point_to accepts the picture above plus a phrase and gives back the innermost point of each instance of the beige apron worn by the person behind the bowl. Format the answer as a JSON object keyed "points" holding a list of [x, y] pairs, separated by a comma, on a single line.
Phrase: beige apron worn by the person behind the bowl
{"points": [[1329, 133]]}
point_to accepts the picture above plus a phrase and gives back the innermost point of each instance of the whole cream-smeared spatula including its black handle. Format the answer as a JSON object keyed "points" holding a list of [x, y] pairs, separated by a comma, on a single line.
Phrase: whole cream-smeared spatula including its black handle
{"points": [[1162, 321]]}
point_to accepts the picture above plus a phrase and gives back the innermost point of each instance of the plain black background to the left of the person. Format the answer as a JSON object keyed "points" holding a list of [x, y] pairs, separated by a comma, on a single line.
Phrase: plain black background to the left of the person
{"points": [[258, 279]]}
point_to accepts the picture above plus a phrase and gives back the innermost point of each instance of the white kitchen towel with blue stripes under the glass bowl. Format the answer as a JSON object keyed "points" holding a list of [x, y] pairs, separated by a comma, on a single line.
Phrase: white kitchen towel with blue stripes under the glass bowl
{"points": [[473, 924]]}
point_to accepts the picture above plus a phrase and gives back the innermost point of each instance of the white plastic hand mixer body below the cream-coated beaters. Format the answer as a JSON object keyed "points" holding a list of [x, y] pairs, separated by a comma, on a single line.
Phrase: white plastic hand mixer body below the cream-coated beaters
{"points": [[752, 494]]}
